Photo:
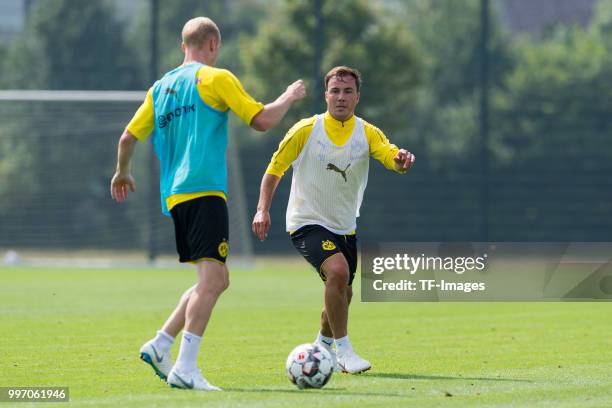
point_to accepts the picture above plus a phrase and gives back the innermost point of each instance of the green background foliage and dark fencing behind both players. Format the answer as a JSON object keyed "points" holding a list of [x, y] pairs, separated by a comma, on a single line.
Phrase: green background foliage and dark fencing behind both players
{"points": [[549, 105]]}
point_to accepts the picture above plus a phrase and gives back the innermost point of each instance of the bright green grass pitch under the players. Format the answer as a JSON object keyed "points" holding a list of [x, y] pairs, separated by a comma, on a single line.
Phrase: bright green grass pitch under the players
{"points": [[82, 328]]}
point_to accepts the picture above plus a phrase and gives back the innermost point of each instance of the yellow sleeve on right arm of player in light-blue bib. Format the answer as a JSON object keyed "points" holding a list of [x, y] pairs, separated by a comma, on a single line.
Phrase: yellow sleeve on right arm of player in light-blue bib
{"points": [[221, 90]]}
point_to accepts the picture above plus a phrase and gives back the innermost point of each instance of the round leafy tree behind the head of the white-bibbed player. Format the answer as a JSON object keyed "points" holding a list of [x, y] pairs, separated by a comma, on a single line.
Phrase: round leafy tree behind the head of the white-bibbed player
{"points": [[355, 34]]}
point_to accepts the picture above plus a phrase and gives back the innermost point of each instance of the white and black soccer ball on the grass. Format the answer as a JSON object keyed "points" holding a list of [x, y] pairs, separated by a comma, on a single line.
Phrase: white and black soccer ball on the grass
{"points": [[309, 366]]}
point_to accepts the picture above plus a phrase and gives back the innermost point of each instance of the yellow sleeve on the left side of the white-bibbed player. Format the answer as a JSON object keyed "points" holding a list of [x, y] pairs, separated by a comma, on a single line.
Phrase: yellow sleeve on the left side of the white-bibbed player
{"points": [[290, 147]]}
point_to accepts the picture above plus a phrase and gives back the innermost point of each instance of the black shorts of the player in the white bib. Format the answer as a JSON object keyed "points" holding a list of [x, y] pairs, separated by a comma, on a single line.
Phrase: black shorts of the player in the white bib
{"points": [[316, 244]]}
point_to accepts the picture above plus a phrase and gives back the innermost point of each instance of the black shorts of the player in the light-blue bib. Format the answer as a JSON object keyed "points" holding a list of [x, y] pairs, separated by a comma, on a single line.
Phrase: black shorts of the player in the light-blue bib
{"points": [[201, 229]]}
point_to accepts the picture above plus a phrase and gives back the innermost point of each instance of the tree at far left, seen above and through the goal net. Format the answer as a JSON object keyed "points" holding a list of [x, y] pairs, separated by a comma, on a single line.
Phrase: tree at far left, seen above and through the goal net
{"points": [[66, 44]]}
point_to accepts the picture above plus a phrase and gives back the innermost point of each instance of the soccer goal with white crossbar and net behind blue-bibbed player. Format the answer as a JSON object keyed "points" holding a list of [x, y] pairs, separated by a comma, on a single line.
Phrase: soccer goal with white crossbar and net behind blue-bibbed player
{"points": [[57, 156]]}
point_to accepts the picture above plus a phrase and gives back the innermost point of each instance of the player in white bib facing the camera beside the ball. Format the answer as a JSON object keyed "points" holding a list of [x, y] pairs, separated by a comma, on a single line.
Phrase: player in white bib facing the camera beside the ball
{"points": [[330, 157]]}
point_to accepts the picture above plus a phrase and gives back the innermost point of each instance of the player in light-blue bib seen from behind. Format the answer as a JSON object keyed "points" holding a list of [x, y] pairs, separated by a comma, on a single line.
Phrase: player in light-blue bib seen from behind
{"points": [[186, 111]]}
